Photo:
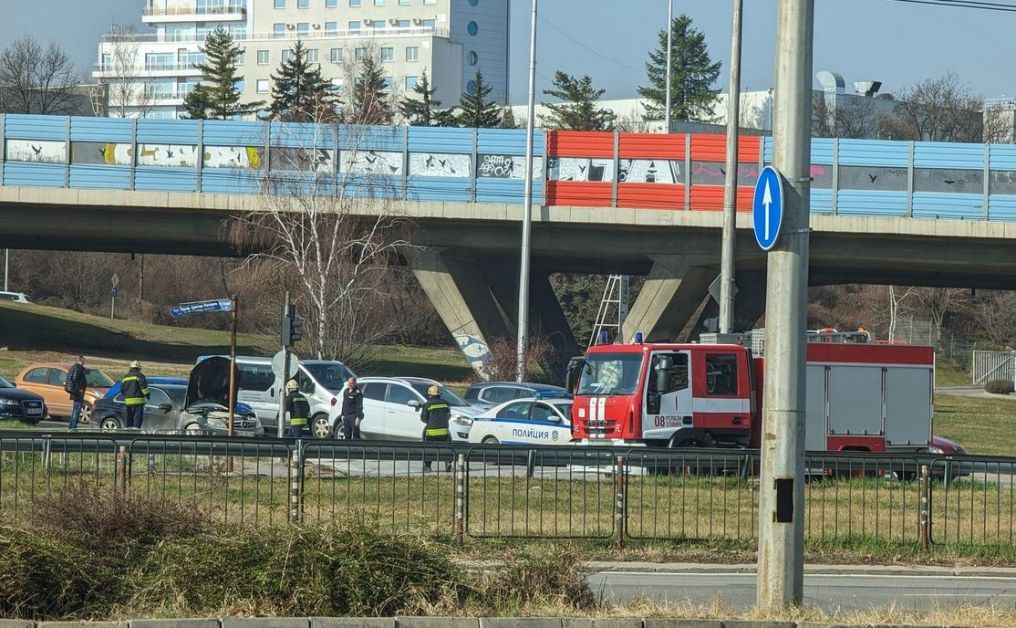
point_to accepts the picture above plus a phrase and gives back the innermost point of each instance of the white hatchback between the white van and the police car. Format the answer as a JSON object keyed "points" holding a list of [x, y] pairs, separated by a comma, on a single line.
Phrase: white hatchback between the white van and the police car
{"points": [[392, 410]]}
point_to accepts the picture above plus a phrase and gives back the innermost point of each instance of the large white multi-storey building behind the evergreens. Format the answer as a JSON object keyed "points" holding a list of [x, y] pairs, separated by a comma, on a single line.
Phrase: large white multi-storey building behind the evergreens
{"points": [[150, 75]]}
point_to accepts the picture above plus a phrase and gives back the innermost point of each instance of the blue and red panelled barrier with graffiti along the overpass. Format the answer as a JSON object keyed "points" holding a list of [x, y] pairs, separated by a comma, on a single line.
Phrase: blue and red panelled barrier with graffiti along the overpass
{"points": [[680, 172]]}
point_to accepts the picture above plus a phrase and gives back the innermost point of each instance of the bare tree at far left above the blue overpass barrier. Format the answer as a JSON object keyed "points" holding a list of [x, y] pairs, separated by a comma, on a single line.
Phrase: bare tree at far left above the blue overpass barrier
{"points": [[36, 81]]}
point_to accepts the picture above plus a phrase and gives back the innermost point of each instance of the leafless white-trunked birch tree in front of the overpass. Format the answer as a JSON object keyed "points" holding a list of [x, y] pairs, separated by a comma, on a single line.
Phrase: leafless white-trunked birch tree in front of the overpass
{"points": [[329, 234]]}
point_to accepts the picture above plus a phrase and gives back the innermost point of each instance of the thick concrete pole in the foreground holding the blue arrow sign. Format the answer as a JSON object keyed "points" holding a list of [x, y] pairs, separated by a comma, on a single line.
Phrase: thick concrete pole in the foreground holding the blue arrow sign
{"points": [[781, 552]]}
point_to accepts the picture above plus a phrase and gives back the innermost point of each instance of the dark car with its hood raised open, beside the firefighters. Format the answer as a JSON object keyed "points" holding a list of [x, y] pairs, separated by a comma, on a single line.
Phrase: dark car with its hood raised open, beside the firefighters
{"points": [[199, 407]]}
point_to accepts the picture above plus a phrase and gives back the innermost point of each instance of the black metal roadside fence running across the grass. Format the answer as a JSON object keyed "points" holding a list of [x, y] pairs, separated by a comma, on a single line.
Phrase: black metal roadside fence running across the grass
{"points": [[472, 493]]}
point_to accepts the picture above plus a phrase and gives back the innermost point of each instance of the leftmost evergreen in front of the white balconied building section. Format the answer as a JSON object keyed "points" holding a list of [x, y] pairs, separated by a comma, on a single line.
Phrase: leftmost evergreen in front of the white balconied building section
{"points": [[217, 96]]}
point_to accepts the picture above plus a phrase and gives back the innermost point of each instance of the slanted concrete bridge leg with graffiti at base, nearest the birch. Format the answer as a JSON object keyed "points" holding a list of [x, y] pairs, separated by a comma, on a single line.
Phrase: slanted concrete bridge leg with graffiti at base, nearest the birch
{"points": [[463, 298]]}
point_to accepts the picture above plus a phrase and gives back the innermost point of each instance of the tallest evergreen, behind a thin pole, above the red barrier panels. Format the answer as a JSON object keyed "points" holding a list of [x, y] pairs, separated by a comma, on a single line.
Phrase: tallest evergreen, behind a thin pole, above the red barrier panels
{"points": [[692, 76]]}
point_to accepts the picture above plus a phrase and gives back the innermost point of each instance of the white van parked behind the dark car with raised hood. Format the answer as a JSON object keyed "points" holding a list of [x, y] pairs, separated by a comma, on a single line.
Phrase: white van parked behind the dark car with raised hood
{"points": [[321, 381]]}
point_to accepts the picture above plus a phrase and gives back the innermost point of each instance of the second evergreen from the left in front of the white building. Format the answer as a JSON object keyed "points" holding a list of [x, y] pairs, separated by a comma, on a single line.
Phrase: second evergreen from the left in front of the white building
{"points": [[299, 92]]}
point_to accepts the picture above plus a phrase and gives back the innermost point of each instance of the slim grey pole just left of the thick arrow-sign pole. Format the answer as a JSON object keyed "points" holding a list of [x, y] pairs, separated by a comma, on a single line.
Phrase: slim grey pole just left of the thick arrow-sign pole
{"points": [[727, 287]]}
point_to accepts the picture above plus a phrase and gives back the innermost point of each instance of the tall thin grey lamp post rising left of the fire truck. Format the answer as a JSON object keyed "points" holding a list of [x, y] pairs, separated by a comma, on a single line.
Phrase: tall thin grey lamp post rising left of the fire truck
{"points": [[524, 271]]}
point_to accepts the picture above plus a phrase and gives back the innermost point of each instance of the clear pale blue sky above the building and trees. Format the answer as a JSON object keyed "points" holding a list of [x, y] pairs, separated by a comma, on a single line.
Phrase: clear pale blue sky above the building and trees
{"points": [[897, 43]]}
